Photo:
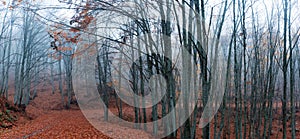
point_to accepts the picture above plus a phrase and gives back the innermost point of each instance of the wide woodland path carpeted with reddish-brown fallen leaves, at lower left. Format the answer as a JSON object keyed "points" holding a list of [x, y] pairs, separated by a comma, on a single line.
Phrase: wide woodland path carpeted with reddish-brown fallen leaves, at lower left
{"points": [[65, 124]]}
